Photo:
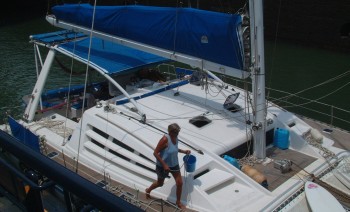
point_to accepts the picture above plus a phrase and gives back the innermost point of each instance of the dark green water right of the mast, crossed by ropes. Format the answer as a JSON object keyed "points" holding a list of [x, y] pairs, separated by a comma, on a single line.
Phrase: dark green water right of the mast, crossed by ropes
{"points": [[295, 68]]}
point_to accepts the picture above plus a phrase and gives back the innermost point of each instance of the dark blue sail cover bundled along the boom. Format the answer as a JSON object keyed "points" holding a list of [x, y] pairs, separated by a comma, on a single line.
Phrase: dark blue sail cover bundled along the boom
{"points": [[208, 35]]}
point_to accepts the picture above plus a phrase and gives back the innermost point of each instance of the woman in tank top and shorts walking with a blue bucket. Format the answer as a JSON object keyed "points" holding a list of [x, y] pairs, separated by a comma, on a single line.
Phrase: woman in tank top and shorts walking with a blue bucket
{"points": [[166, 154]]}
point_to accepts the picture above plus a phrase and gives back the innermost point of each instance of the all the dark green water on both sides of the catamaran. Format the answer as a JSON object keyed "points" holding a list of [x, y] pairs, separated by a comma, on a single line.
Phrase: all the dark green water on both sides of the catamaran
{"points": [[289, 68]]}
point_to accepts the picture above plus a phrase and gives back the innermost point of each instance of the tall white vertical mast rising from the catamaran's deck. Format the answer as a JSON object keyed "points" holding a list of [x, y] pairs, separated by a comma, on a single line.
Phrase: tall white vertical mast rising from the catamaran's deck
{"points": [[258, 76]]}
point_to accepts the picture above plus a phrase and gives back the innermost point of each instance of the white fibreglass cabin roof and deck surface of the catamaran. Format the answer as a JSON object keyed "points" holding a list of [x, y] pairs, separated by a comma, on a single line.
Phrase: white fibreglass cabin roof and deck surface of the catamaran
{"points": [[115, 143]]}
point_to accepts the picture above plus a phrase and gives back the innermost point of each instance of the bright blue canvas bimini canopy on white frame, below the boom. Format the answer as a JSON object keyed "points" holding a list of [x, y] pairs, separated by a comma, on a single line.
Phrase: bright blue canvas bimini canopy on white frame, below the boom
{"points": [[109, 57]]}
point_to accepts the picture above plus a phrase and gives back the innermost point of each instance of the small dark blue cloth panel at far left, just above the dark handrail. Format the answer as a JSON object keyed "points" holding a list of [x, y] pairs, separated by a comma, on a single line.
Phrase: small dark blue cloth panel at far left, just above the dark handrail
{"points": [[24, 135]]}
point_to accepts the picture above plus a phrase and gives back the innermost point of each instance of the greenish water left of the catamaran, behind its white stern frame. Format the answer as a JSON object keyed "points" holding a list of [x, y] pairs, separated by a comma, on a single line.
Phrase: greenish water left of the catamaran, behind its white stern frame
{"points": [[17, 65]]}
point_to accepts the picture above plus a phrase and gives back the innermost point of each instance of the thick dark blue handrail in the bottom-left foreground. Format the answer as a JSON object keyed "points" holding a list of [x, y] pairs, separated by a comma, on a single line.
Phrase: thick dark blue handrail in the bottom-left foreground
{"points": [[71, 181]]}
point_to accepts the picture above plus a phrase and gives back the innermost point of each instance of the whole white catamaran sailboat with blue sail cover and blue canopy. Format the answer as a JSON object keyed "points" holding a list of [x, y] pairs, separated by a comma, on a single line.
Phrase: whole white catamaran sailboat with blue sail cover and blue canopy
{"points": [[107, 131]]}
